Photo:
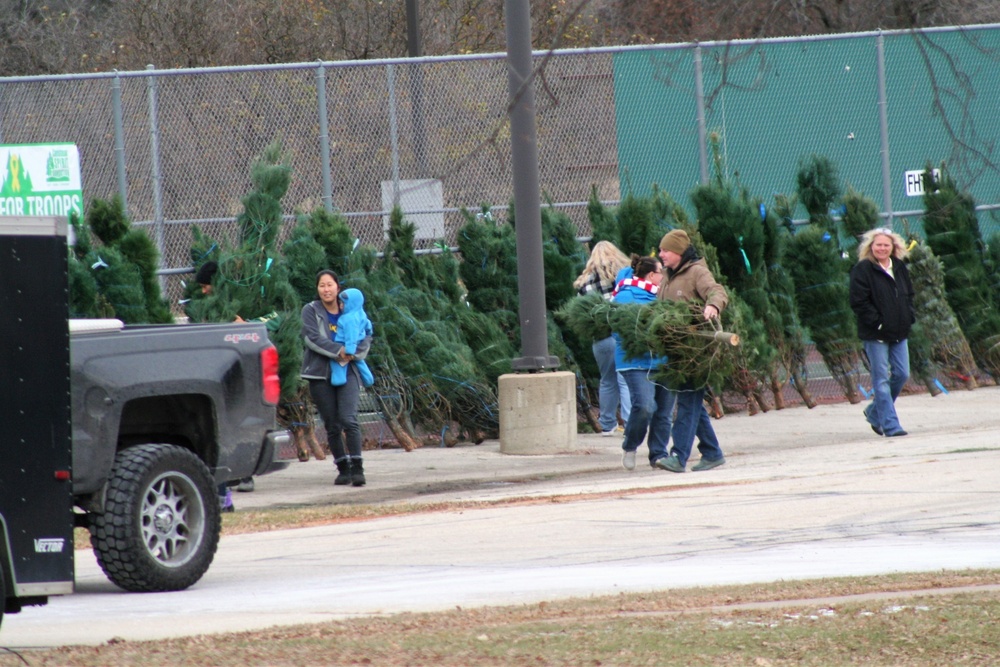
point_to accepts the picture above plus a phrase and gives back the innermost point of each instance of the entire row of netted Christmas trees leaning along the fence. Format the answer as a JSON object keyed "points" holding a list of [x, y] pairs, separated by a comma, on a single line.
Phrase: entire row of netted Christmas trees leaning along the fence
{"points": [[446, 329]]}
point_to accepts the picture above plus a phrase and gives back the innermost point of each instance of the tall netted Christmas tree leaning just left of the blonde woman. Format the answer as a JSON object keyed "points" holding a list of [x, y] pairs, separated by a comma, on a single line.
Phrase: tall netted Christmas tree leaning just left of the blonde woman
{"points": [[819, 271]]}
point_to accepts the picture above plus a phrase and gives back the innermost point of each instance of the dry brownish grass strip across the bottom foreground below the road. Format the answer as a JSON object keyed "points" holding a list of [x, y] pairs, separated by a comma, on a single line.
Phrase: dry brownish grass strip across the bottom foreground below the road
{"points": [[902, 620]]}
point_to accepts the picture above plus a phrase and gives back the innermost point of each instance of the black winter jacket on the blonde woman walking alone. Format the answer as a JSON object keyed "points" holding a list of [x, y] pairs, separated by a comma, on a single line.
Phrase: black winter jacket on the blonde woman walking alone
{"points": [[883, 306]]}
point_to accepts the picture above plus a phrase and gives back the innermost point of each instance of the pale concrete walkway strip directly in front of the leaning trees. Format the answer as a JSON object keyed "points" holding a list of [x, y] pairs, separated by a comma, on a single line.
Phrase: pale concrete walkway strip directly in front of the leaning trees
{"points": [[795, 441]]}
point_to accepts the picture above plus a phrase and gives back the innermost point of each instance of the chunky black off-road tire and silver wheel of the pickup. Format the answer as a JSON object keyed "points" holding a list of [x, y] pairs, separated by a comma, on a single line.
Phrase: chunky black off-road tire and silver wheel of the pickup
{"points": [[160, 525]]}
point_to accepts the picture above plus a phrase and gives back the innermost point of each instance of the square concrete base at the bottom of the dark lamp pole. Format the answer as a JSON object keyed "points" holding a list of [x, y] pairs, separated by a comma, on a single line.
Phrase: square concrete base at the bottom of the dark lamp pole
{"points": [[537, 413]]}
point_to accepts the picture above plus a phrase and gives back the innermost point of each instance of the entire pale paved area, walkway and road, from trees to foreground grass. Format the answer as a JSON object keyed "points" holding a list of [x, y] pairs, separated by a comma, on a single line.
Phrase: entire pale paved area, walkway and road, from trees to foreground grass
{"points": [[804, 494]]}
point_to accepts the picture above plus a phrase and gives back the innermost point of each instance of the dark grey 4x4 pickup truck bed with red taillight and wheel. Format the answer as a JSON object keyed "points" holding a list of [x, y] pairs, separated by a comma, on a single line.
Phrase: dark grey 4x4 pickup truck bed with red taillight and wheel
{"points": [[161, 415]]}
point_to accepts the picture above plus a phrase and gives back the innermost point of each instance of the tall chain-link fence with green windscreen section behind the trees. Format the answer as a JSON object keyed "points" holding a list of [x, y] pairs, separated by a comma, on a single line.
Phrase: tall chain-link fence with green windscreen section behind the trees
{"points": [[432, 133]]}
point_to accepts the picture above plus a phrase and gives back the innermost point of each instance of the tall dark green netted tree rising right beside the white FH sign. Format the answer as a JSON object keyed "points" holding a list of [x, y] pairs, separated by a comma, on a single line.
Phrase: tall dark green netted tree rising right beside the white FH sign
{"points": [[953, 234]]}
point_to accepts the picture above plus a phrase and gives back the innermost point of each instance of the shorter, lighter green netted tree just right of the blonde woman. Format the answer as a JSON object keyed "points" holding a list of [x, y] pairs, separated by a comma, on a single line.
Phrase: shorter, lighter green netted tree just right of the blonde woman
{"points": [[936, 341]]}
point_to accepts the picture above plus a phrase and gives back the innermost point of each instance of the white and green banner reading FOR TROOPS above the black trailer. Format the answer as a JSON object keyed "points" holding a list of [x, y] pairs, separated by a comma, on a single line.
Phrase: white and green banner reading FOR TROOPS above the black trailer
{"points": [[40, 179]]}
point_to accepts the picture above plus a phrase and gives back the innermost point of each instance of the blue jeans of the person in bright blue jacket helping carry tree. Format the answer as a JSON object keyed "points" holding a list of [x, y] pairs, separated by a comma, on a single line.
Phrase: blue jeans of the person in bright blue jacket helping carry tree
{"points": [[652, 411]]}
